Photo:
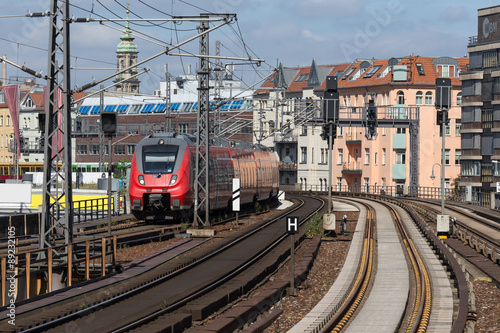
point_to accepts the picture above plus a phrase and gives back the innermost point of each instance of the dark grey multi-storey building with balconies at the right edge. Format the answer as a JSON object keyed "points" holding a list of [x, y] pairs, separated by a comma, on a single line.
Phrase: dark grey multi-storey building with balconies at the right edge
{"points": [[481, 107]]}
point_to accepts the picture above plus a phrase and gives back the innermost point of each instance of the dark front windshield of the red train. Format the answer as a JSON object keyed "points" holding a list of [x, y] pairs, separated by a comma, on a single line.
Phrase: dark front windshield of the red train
{"points": [[159, 158]]}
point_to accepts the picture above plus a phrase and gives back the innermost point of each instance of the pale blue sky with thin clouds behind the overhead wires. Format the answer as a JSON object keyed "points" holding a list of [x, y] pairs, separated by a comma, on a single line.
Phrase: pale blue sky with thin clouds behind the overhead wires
{"points": [[293, 31]]}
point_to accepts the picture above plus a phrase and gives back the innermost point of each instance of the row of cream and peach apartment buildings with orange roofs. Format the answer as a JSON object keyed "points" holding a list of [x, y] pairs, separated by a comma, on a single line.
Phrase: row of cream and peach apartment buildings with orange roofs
{"points": [[407, 147]]}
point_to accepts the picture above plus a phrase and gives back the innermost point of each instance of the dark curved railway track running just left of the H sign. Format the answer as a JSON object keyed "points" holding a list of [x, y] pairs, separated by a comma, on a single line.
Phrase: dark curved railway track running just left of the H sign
{"points": [[182, 285]]}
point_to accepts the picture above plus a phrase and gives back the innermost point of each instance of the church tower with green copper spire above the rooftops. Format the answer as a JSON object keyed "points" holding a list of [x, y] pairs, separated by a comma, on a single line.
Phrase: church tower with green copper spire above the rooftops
{"points": [[126, 56]]}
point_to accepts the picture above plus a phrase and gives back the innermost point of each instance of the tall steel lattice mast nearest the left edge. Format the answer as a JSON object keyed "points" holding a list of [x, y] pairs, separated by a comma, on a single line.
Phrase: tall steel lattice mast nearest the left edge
{"points": [[57, 212]]}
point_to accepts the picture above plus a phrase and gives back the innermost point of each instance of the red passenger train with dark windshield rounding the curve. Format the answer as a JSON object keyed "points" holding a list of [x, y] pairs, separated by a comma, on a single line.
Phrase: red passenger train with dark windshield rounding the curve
{"points": [[162, 175]]}
